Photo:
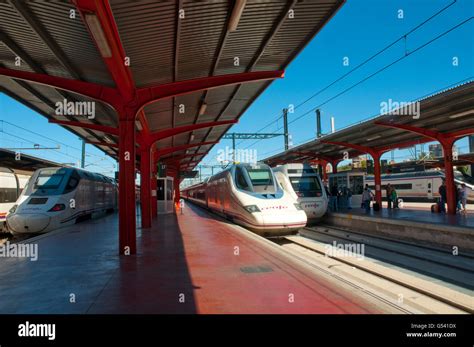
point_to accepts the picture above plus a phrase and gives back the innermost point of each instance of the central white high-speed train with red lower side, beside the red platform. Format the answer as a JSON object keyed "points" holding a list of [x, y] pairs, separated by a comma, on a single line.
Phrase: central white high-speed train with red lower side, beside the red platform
{"points": [[250, 195]]}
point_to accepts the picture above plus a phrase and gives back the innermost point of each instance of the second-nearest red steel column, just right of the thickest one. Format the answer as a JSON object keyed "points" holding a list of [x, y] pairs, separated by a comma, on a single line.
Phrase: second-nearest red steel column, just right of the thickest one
{"points": [[145, 185]]}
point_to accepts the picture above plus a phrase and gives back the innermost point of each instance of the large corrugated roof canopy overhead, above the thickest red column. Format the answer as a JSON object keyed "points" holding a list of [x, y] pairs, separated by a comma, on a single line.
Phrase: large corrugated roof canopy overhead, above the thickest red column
{"points": [[163, 42]]}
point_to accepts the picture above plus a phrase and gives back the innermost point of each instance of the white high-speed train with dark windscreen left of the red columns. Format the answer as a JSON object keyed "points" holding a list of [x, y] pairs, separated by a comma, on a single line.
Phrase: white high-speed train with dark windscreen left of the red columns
{"points": [[59, 196]]}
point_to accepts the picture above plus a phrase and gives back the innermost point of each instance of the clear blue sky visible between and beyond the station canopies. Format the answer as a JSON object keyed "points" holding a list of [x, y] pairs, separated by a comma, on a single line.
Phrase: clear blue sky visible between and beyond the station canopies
{"points": [[359, 29]]}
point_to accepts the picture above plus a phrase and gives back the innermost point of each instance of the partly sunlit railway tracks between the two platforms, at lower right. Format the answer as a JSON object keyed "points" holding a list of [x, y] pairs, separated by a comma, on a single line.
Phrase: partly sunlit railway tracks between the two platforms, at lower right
{"points": [[388, 280]]}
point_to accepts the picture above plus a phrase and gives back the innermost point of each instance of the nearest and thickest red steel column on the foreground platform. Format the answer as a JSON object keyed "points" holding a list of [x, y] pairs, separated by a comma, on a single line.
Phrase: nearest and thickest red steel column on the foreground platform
{"points": [[127, 217]]}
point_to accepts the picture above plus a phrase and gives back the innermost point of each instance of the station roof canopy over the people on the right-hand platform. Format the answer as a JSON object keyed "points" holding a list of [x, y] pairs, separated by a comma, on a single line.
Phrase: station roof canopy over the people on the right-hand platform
{"points": [[445, 115]]}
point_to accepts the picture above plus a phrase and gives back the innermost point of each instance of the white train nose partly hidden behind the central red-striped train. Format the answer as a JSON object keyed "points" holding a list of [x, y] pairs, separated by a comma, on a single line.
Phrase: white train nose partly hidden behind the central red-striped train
{"points": [[304, 184]]}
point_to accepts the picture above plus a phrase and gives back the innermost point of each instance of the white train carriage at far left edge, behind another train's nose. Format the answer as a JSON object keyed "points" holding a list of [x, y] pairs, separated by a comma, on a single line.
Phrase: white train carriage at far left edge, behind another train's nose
{"points": [[11, 186]]}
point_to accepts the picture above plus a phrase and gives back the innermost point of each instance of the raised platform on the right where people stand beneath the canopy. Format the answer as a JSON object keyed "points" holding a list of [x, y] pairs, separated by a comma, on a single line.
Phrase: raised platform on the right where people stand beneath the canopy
{"points": [[453, 232]]}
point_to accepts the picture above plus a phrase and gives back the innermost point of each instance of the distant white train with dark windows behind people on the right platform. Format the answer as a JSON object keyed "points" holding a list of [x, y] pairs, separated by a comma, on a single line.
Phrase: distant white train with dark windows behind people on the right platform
{"points": [[420, 186]]}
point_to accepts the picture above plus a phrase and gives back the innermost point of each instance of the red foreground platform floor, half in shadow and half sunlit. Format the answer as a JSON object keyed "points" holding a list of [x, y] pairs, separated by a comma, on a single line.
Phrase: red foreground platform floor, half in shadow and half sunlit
{"points": [[79, 271]]}
